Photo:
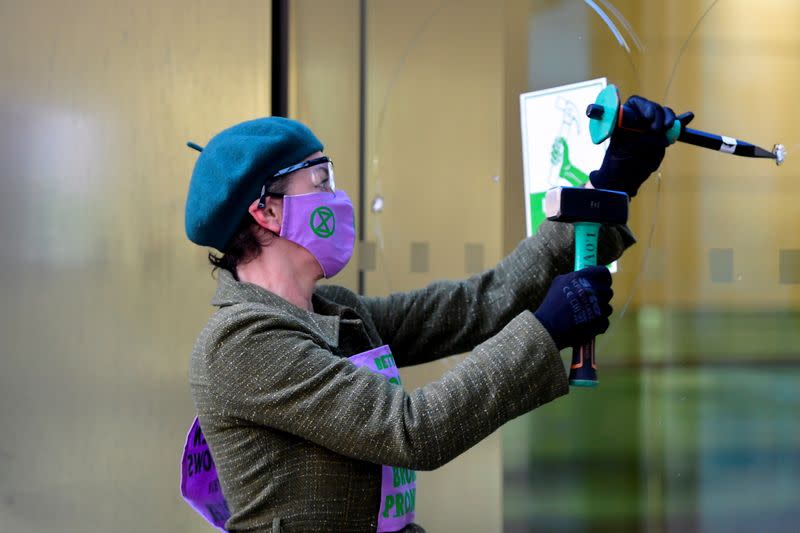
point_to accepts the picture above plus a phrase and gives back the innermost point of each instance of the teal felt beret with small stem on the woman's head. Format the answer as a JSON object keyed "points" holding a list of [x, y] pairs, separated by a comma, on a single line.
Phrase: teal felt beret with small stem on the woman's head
{"points": [[232, 168]]}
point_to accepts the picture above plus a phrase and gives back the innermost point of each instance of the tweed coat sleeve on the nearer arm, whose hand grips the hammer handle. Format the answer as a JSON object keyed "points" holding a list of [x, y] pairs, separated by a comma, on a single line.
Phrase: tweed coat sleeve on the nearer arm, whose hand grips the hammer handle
{"points": [[267, 375]]}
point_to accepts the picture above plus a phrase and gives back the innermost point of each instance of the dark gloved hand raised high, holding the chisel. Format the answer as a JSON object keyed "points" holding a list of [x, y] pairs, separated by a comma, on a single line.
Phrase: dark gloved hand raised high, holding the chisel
{"points": [[633, 155]]}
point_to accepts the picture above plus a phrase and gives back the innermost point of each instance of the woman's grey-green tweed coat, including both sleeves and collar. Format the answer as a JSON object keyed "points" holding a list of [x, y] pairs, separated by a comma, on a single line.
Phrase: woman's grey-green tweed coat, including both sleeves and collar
{"points": [[298, 433]]}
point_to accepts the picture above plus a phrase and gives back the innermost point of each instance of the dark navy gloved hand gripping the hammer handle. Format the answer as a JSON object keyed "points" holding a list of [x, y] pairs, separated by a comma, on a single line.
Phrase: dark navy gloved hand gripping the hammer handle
{"points": [[576, 307]]}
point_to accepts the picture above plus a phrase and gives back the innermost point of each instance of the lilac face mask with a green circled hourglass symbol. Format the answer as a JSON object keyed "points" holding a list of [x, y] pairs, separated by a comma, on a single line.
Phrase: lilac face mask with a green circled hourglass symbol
{"points": [[322, 223]]}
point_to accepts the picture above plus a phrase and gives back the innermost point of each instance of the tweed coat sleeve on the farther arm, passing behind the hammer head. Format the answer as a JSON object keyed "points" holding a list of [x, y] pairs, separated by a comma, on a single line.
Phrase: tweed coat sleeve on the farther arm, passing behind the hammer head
{"points": [[450, 317]]}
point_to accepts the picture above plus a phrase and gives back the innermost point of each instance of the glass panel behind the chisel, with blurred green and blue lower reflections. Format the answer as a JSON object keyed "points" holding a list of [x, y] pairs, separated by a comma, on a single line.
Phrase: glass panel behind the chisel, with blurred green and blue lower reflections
{"points": [[696, 411]]}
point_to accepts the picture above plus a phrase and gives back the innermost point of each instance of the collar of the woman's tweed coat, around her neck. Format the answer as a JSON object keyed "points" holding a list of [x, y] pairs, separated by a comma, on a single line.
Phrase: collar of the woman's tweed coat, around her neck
{"points": [[324, 320]]}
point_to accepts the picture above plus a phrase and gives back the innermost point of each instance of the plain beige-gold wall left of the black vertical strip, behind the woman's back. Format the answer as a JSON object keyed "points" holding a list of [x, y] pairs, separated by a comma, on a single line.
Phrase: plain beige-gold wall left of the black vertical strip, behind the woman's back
{"points": [[102, 294]]}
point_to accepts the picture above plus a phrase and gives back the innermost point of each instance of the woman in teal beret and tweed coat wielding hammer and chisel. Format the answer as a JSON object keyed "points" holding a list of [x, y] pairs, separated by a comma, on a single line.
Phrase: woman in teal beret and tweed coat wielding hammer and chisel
{"points": [[295, 384]]}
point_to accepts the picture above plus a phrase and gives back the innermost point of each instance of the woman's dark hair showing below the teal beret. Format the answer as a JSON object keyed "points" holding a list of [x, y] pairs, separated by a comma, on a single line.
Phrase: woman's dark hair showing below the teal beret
{"points": [[248, 240]]}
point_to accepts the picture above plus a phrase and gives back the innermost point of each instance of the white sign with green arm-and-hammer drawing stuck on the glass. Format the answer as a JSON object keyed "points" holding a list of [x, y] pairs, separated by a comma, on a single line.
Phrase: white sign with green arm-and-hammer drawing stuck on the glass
{"points": [[556, 147]]}
